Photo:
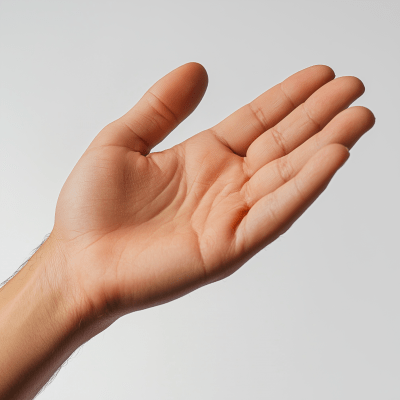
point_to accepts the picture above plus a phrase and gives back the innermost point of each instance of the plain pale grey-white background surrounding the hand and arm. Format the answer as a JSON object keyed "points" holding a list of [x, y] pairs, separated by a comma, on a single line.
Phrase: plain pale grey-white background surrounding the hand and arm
{"points": [[313, 316]]}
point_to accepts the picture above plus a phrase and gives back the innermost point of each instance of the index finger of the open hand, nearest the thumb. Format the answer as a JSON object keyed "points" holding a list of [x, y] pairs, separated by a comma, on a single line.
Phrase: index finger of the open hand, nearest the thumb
{"points": [[242, 127]]}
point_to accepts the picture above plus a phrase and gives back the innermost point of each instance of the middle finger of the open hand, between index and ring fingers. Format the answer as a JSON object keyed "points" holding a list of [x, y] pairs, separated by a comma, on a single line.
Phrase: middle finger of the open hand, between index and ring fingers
{"points": [[304, 122]]}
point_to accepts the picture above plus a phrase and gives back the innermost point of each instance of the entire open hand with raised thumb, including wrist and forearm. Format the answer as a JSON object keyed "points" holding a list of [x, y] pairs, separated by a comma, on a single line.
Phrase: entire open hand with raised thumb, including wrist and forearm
{"points": [[135, 228]]}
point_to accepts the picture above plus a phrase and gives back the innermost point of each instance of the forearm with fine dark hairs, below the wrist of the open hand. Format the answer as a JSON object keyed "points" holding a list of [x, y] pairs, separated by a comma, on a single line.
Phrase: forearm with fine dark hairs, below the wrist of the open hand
{"points": [[41, 324]]}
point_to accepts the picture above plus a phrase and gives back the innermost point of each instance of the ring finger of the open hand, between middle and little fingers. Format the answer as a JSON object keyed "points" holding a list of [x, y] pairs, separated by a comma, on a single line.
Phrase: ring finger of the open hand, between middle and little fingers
{"points": [[345, 129]]}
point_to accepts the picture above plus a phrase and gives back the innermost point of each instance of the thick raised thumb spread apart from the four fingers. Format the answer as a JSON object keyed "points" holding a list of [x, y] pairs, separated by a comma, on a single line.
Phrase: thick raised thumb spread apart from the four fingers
{"points": [[161, 109]]}
